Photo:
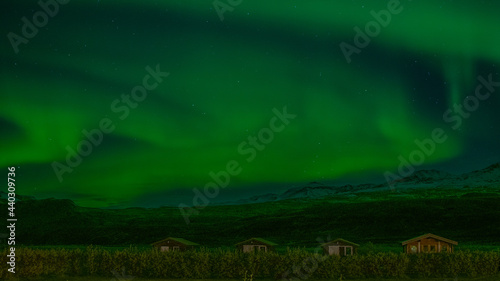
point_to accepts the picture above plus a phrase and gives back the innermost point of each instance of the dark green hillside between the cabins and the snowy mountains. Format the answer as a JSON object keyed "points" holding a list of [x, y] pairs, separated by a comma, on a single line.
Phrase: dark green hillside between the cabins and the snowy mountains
{"points": [[381, 218]]}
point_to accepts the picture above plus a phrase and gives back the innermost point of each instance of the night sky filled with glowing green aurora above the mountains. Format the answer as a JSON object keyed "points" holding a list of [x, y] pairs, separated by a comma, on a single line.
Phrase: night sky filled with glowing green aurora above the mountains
{"points": [[226, 81]]}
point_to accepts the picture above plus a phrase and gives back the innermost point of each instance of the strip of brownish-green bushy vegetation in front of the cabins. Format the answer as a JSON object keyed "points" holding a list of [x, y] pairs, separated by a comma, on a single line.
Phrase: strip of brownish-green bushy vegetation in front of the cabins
{"points": [[295, 264]]}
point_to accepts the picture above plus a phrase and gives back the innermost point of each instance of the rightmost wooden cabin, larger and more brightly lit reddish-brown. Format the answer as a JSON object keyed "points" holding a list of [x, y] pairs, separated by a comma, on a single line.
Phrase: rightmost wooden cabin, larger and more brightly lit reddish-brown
{"points": [[428, 243]]}
